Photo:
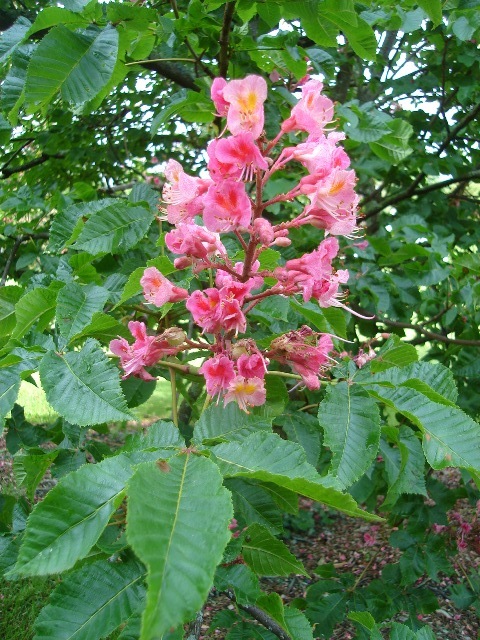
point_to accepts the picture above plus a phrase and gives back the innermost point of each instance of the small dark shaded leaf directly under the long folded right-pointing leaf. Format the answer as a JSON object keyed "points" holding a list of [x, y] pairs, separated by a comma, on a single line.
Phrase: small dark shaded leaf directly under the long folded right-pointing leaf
{"points": [[252, 503]]}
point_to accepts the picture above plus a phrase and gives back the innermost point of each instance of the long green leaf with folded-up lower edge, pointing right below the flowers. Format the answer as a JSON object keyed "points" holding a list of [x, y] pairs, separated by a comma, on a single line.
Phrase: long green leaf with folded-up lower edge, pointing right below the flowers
{"points": [[266, 457]]}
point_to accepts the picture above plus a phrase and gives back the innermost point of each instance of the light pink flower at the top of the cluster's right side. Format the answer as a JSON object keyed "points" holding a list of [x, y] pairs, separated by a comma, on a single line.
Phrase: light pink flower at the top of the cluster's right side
{"points": [[312, 112]]}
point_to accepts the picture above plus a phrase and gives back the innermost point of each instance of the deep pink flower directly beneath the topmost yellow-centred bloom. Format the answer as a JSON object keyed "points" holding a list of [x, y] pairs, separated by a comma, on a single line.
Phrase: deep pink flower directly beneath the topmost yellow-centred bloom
{"points": [[240, 152]]}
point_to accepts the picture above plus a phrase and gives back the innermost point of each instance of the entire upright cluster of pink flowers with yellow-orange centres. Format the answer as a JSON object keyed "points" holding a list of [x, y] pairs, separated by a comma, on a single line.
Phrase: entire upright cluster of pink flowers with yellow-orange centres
{"points": [[231, 200]]}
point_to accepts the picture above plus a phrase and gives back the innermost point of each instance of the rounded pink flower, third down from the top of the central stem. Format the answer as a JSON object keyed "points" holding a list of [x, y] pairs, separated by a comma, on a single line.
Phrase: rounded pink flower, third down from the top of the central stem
{"points": [[227, 206]]}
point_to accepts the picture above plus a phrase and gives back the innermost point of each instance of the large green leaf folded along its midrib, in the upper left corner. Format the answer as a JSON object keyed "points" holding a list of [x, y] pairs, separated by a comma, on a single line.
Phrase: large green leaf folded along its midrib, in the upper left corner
{"points": [[78, 65]]}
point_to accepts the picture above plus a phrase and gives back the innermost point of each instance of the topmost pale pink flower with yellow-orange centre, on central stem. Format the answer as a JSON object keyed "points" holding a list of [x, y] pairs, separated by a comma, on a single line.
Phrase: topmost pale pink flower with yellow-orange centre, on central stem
{"points": [[245, 110]]}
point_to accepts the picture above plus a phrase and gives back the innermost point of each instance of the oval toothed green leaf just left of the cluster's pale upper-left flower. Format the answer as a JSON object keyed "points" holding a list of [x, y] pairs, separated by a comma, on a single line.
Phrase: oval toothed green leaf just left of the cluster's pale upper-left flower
{"points": [[115, 228]]}
